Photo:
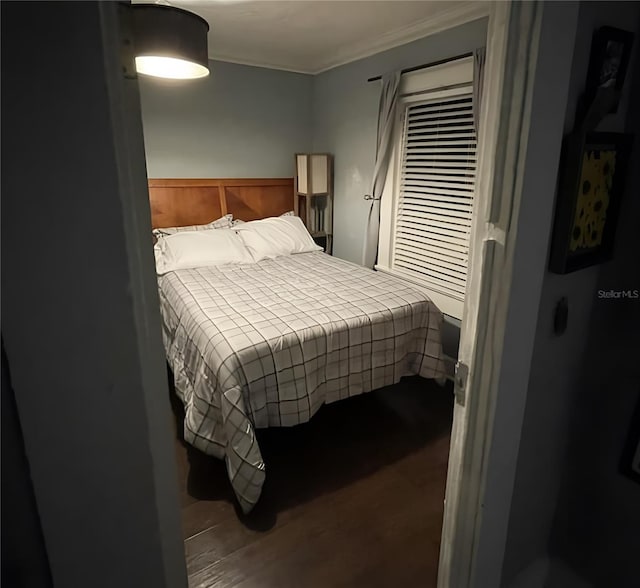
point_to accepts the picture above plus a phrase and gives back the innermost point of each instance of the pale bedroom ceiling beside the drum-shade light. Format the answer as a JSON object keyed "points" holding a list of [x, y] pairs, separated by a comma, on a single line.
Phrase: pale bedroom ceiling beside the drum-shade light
{"points": [[311, 36]]}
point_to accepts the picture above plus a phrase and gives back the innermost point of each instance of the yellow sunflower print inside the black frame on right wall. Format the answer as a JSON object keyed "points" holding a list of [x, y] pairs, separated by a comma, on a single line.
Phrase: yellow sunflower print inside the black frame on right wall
{"points": [[596, 183]]}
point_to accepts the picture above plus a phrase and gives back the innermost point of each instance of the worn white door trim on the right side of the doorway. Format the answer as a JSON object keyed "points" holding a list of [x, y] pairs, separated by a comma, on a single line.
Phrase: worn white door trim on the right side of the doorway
{"points": [[512, 46]]}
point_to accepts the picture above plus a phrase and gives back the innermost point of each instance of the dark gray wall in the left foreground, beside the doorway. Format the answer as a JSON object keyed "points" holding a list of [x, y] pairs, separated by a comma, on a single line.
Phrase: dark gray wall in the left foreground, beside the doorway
{"points": [[80, 318]]}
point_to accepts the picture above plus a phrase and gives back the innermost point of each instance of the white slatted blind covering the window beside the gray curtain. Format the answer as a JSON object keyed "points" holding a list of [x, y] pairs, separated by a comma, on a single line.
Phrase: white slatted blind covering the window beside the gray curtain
{"points": [[435, 201]]}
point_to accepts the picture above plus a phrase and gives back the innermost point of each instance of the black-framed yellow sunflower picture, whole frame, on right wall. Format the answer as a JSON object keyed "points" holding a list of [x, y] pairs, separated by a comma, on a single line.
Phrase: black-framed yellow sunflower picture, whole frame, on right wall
{"points": [[592, 182]]}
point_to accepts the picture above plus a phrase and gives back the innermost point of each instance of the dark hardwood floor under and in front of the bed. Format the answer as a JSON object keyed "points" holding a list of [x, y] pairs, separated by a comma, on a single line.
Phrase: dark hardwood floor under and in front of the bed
{"points": [[353, 498]]}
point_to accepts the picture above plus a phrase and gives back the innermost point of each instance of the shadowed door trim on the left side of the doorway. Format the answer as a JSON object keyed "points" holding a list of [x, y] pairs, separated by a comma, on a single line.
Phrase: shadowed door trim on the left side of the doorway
{"points": [[126, 121]]}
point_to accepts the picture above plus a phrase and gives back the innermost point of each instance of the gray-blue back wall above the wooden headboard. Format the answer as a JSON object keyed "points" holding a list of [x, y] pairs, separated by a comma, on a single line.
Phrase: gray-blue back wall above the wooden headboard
{"points": [[239, 122]]}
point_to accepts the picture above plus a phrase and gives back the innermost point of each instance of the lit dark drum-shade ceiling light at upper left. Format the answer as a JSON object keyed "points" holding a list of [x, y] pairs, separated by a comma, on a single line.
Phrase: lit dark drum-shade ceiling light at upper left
{"points": [[170, 42]]}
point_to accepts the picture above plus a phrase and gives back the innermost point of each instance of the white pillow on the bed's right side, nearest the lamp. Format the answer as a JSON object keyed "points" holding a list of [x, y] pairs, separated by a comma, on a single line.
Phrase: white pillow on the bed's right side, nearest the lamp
{"points": [[272, 237]]}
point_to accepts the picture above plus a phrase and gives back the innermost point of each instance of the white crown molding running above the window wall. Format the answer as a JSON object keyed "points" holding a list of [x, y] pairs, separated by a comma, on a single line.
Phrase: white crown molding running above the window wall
{"points": [[457, 15]]}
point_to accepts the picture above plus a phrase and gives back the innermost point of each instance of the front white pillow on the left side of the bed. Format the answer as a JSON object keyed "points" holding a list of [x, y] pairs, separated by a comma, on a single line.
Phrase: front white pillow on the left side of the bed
{"points": [[199, 249]]}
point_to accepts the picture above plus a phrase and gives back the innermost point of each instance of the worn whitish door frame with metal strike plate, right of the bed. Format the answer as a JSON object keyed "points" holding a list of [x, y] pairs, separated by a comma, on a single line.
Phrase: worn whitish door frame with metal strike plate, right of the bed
{"points": [[476, 395]]}
